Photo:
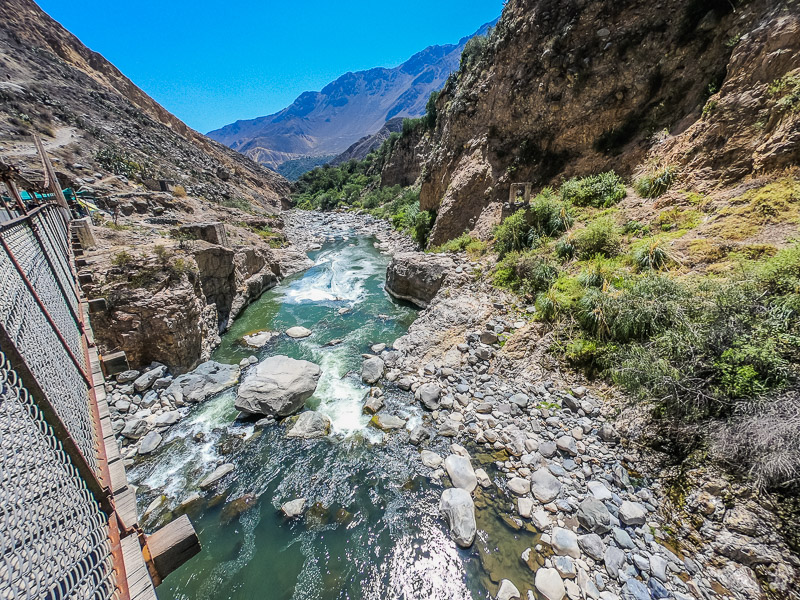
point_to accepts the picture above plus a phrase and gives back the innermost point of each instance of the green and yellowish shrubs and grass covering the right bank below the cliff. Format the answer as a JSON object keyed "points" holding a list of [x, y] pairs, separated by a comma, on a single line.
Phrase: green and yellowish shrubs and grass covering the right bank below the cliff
{"points": [[706, 329]]}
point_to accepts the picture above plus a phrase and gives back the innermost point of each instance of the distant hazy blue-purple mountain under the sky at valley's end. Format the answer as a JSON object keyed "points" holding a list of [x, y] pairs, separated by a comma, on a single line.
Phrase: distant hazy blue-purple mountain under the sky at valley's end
{"points": [[355, 105]]}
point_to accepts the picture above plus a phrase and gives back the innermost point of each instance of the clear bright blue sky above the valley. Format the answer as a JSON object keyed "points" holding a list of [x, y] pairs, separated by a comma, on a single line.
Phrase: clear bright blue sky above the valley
{"points": [[212, 62]]}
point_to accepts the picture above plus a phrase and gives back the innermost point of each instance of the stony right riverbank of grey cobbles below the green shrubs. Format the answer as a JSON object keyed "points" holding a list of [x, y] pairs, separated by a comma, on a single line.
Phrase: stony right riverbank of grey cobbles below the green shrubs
{"points": [[617, 519]]}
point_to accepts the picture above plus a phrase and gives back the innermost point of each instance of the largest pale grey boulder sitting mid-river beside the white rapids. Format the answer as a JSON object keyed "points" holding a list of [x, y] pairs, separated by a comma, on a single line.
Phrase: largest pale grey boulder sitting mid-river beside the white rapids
{"points": [[279, 386]]}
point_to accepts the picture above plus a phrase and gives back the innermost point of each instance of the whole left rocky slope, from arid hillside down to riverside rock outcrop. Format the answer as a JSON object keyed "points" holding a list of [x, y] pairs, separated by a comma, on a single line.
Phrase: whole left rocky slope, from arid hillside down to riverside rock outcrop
{"points": [[168, 290]]}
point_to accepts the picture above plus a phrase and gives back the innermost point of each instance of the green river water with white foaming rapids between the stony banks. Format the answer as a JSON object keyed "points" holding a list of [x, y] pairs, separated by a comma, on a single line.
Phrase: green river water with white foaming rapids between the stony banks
{"points": [[372, 529]]}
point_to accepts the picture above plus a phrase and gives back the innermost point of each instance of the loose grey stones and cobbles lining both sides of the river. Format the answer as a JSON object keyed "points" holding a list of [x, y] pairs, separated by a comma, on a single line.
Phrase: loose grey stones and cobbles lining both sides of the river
{"points": [[583, 511]]}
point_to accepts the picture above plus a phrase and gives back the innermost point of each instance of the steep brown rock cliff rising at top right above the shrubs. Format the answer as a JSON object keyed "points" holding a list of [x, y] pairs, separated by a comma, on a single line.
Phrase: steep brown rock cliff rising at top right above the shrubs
{"points": [[575, 87]]}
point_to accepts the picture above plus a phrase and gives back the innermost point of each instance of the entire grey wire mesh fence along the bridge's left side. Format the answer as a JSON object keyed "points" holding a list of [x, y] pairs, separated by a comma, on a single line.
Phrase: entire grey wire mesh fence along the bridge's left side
{"points": [[55, 539]]}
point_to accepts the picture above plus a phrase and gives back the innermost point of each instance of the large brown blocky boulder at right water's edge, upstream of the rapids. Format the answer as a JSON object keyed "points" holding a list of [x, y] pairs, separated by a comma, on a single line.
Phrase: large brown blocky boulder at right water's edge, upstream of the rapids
{"points": [[417, 277]]}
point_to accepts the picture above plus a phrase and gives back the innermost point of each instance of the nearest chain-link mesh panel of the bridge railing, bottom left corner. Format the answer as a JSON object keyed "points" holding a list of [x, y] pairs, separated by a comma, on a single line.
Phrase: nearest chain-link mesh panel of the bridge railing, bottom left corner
{"points": [[55, 540]]}
